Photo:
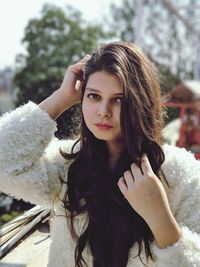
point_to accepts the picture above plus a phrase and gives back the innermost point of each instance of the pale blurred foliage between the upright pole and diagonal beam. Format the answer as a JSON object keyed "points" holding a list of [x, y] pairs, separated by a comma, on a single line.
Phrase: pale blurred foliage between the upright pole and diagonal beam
{"points": [[168, 40]]}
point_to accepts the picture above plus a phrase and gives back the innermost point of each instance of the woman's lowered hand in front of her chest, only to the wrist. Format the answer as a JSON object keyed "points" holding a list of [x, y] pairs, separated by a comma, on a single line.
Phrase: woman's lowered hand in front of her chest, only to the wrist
{"points": [[145, 192]]}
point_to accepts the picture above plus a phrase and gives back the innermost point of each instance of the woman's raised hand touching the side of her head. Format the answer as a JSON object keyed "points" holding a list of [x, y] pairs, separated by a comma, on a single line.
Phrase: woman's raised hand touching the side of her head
{"points": [[72, 80]]}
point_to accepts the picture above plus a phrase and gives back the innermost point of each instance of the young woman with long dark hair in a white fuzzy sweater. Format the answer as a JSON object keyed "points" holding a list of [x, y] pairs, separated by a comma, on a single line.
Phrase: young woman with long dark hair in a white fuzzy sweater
{"points": [[119, 196]]}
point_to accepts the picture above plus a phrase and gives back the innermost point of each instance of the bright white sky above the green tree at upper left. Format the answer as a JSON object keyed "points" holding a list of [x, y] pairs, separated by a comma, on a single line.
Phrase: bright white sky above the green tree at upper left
{"points": [[15, 14]]}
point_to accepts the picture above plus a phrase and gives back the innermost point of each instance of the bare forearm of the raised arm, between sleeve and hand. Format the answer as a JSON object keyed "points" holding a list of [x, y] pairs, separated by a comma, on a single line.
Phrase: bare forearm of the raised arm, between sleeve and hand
{"points": [[56, 103]]}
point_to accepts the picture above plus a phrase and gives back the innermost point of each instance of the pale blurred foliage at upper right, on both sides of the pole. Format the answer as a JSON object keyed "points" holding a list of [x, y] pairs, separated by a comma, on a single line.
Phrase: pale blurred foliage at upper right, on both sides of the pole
{"points": [[165, 38]]}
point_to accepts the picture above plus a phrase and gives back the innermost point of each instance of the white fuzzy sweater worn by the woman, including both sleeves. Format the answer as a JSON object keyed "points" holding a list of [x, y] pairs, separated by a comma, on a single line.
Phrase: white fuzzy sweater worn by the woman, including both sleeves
{"points": [[30, 167]]}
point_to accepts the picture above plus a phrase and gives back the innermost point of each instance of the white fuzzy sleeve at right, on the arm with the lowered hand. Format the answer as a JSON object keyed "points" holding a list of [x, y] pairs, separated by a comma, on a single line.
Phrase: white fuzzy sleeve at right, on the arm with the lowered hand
{"points": [[182, 171]]}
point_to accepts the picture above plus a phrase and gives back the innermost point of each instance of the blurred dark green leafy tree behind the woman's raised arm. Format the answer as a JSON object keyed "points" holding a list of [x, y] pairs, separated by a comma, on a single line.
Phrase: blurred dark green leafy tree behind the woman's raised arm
{"points": [[55, 40]]}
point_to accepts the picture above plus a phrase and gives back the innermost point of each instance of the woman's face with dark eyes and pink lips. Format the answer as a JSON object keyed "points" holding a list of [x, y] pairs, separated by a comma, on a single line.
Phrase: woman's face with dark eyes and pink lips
{"points": [[102, 104]]}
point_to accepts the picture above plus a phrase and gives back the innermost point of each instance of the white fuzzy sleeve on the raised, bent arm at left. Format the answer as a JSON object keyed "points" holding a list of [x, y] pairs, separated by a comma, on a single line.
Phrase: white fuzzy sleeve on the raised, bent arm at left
{"points": [[30, 162]]}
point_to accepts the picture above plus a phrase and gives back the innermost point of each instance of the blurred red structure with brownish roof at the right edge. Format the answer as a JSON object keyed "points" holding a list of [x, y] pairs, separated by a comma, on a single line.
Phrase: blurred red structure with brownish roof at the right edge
{"points": [[186, 97]]}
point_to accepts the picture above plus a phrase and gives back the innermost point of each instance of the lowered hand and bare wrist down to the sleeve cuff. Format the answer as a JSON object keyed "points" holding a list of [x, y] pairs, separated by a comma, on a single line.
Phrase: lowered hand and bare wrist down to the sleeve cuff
{"points": [[145, 193]]}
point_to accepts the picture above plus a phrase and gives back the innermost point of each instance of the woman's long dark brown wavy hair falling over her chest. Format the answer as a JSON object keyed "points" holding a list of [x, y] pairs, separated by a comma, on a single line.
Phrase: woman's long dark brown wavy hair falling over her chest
{"points": [[113, 225]]}
